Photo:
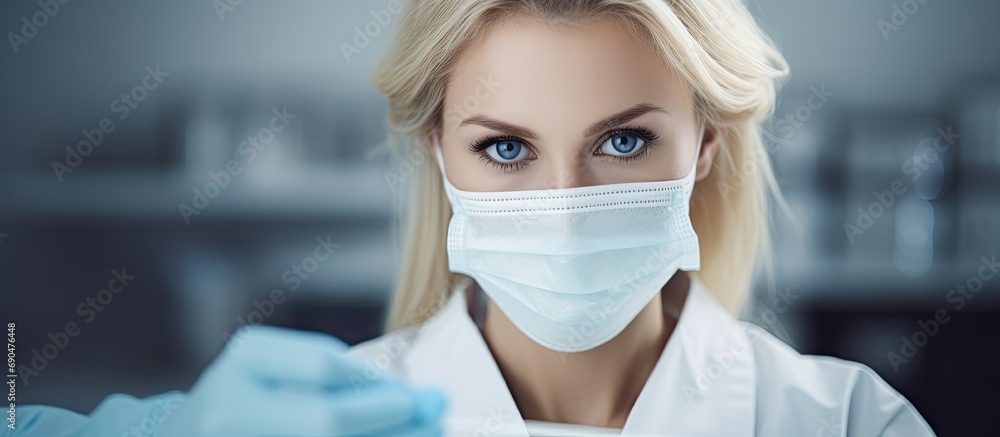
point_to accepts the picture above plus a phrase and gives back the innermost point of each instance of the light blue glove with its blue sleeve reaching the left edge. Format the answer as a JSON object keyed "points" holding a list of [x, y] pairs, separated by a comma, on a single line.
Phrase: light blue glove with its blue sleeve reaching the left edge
{"points": [[267, 382]]}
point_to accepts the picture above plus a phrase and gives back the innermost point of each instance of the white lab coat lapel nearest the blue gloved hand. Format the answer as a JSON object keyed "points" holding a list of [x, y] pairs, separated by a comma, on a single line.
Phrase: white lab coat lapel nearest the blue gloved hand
{"points": [[450, 353]]}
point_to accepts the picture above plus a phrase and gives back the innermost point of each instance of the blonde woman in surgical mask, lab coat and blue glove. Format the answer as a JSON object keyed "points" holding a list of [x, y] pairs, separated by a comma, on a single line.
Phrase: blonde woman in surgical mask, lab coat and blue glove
{"points": [[582, 159]]}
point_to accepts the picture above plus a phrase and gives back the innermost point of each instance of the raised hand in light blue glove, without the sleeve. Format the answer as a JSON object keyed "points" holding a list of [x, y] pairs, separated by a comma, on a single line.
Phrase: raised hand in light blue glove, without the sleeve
{"points": [[280, 382]]}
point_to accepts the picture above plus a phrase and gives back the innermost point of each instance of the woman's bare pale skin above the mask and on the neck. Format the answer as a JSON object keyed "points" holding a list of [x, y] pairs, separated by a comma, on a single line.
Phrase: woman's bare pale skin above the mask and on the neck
{"points": [[565, 98]]}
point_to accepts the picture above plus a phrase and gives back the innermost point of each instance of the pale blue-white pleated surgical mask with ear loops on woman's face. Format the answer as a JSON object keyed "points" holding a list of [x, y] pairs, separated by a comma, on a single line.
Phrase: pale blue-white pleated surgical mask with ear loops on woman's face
{"points": [[571, 268]]}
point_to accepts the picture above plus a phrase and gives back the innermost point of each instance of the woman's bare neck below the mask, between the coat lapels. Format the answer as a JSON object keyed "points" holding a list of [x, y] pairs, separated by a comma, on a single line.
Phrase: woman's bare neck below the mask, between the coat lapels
{"points": [[597, 387]]}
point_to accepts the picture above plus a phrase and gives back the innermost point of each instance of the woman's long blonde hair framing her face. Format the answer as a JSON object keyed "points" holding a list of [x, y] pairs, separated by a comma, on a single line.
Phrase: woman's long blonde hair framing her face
{"points": [[715, 47]]}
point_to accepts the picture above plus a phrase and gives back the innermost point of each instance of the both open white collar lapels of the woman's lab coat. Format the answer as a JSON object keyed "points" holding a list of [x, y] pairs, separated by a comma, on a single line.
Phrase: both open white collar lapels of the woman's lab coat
{"points": [[704, 382]]}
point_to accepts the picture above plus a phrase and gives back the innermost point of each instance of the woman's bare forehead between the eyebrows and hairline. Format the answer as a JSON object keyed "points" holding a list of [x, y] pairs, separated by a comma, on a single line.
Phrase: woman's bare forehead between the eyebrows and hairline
{"points": [[524, 69]]}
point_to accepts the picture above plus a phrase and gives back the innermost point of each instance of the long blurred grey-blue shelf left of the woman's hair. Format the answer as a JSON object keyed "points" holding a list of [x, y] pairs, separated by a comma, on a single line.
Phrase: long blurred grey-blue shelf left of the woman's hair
{"points": [[335, 191]]}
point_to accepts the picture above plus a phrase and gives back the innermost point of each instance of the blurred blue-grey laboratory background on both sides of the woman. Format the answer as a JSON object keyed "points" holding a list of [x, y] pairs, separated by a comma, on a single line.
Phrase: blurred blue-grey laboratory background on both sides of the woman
{"points": [[886, 143]]}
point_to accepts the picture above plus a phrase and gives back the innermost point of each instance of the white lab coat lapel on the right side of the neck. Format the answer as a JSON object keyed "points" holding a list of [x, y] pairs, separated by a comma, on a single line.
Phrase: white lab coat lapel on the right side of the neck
{"points": [[704, 382]]}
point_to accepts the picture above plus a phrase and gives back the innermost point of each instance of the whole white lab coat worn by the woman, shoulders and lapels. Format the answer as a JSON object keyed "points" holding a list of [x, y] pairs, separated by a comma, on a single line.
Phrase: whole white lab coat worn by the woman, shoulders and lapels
{"points": [[717, 376]]}
